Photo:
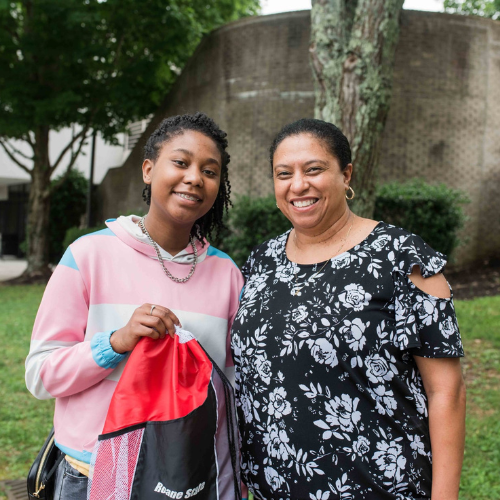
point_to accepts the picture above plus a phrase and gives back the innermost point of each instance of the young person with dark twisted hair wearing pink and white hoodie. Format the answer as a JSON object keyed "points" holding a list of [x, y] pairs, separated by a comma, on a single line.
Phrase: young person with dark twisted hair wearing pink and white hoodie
{"points": [[138, 278]]}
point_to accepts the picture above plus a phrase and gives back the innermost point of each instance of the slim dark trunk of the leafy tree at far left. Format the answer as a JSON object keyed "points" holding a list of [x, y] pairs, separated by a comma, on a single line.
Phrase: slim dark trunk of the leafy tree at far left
{"points": [[38, 211]]}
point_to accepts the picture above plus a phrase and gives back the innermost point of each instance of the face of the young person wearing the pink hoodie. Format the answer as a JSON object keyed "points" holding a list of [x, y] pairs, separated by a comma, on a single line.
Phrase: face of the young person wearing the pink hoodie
{"points": [[185, 178]]}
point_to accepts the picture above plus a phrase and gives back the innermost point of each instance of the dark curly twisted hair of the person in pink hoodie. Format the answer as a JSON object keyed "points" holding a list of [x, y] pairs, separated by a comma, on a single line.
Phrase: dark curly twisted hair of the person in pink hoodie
{"points": [[212, 223]]}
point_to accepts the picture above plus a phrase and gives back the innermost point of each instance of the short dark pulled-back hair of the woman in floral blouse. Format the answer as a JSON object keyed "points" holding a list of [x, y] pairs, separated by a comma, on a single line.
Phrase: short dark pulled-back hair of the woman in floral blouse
{"points": [[335, 141]]}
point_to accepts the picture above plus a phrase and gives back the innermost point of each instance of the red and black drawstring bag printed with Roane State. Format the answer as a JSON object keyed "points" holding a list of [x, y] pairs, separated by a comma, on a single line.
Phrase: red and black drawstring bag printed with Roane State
{"points": [[170, 431]]}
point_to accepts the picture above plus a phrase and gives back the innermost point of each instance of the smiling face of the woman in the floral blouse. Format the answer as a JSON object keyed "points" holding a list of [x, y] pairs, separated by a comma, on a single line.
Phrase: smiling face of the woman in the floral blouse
{"points": [[309, 184]]}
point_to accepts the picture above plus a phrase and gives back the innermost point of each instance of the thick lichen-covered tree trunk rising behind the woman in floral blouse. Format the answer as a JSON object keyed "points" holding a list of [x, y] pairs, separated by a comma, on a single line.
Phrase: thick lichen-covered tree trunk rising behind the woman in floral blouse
{"points": [[352, 55]]}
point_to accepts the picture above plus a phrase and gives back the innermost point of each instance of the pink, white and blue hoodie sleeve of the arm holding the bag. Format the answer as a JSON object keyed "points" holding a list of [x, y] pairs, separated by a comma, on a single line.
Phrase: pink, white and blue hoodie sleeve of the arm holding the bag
{"points": [[61, 362]]}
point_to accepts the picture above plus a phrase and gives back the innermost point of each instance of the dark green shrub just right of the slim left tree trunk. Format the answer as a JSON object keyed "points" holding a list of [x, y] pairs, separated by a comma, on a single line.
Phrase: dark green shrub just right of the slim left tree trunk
{"points": [[68, 200]]}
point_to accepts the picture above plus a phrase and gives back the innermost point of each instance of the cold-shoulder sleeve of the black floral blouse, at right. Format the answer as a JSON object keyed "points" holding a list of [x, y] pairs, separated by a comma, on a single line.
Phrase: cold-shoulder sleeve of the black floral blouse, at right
{"points": [[425, 324]]}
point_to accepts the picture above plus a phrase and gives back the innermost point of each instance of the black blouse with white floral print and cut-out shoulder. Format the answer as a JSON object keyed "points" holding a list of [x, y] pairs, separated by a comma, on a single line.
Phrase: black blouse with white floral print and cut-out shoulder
{"points": [[330, 400]]}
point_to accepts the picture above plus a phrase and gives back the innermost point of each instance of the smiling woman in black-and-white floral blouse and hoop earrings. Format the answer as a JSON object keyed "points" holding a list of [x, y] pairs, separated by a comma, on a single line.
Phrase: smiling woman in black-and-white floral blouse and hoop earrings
{"points": [[346, 345]]}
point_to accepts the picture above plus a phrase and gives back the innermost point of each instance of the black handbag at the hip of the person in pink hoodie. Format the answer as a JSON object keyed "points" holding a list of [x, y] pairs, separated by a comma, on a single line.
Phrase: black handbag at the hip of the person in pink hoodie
{"points": [[41, 476]]}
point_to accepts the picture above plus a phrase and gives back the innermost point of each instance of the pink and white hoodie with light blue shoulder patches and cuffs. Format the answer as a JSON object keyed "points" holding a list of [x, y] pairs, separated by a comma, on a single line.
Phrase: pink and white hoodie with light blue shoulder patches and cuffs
{"points": [[101, 279]]}
